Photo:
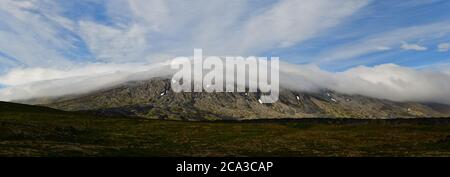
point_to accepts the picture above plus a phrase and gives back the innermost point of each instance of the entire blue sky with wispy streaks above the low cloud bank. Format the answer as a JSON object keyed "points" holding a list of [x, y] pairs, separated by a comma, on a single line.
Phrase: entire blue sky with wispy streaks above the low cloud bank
{"points": [[44, 40]]}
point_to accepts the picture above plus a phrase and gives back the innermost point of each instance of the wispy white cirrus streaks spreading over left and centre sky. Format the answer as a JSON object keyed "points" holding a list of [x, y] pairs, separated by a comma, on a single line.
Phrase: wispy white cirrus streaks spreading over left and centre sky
{"points": [[45, 33]]}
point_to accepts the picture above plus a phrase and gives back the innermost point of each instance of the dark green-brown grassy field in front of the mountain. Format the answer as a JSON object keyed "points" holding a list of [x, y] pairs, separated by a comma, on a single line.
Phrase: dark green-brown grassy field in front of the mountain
{"points": [[35, 131]]}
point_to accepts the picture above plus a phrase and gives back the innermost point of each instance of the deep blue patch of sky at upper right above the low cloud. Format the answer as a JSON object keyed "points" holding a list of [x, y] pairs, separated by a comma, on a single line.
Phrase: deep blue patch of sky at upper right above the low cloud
{"points": [[377, 19]]}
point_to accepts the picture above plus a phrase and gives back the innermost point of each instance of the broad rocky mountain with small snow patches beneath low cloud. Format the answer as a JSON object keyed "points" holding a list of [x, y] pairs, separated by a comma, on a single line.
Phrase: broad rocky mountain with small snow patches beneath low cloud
{"points": [[154, 99]]}
